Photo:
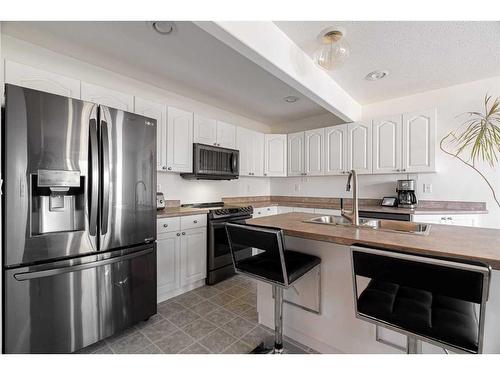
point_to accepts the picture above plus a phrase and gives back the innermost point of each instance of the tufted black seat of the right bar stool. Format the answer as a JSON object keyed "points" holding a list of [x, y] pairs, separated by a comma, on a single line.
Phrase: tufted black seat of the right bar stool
{"points": [[449, 320]]}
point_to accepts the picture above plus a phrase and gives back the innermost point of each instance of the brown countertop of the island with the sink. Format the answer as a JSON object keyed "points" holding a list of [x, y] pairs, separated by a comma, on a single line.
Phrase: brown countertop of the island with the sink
{"points": [[471, 243]]}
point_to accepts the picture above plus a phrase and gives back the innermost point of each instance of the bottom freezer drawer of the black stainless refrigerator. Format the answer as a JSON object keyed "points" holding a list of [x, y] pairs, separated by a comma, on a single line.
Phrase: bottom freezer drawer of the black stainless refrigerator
{"points": [[64, 306]]}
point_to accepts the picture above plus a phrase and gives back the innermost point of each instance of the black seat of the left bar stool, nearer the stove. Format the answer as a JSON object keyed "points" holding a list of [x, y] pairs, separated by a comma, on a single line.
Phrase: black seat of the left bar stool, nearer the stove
{"points": [[297, 265]]}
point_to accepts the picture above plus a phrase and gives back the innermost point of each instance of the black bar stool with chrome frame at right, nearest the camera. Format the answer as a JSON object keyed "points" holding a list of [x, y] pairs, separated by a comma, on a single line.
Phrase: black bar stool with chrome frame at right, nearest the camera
{"points": [[427, 299]]}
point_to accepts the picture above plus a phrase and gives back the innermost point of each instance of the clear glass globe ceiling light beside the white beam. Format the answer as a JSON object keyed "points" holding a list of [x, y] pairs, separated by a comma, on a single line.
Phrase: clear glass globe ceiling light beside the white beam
{"points": [[334, 48]]}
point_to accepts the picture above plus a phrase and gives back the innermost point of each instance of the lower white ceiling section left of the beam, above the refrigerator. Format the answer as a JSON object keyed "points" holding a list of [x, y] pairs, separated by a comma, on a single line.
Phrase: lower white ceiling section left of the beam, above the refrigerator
{"points": [[190, 62]]}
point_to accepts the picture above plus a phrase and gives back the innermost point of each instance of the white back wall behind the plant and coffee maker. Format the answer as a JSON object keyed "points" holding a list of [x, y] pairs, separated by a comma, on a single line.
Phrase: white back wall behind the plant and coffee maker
{"points": [[453, 181]]}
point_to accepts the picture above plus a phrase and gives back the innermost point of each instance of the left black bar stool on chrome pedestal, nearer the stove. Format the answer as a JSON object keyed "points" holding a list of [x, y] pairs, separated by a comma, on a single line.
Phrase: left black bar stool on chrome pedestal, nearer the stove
{"points": [[268, 261]]}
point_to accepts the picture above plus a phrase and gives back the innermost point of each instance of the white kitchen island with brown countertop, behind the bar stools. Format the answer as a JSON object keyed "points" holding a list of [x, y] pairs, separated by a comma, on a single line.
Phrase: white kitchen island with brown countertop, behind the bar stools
{"points": [[335, 329]]}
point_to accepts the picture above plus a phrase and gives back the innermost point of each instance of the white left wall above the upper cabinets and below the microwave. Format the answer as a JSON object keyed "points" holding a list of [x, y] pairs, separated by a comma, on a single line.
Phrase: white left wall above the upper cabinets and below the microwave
{"points": [[172, 185]]}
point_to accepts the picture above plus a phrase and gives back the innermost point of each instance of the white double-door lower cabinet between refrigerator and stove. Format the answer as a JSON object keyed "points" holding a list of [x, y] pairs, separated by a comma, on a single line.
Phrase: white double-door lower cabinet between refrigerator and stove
{"points": [[181, 255]]}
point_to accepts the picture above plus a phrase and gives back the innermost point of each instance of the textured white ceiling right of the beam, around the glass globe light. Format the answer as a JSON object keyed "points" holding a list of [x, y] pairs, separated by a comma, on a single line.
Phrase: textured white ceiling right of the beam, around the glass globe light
{"points": [[420, 56]]}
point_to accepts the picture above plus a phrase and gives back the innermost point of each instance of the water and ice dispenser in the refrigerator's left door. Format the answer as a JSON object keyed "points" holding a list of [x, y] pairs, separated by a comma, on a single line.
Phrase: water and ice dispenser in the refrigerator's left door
{"points": [[57, 201]]}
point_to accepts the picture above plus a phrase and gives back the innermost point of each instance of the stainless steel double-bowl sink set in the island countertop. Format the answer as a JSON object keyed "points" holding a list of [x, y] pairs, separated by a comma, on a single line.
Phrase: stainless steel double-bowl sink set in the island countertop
{"points": [[375, 224]]}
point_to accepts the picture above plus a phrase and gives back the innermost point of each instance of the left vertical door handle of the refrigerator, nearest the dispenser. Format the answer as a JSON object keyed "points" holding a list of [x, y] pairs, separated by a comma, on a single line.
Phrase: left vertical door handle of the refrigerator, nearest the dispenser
{"points": [[94, 177]]}
